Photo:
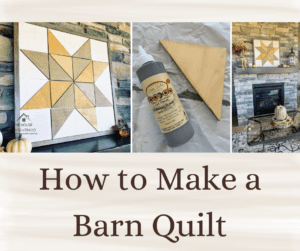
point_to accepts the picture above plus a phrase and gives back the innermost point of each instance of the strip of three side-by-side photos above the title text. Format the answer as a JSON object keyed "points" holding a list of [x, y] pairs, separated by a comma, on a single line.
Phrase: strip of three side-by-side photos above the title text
{"points": [[139, 87]]}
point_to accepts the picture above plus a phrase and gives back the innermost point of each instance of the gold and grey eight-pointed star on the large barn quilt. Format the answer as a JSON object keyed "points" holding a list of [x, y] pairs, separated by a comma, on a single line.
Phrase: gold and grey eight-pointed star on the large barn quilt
{"points": [[71, 83]]}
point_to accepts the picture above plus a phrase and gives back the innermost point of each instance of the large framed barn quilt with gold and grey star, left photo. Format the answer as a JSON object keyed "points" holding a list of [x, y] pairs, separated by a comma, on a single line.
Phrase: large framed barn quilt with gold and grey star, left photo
{"points": [[64, 87]]}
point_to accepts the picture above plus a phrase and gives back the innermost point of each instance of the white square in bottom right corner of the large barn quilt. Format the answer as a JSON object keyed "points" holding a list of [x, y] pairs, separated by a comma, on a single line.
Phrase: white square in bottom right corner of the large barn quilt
{"points": [[105, 118]]}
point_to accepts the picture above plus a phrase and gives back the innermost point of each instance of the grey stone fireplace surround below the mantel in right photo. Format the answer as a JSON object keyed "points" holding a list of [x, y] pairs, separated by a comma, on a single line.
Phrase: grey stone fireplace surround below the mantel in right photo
{"points": [[245, 82]]}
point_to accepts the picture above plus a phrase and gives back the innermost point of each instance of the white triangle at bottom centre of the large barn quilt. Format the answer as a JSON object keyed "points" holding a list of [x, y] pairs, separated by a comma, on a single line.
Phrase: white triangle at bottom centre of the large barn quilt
{"points": [[75, 125]]}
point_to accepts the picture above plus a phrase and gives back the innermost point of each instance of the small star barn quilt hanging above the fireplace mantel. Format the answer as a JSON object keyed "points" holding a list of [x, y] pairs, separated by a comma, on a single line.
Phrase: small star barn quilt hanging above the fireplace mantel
{"points": [[266, 53]]}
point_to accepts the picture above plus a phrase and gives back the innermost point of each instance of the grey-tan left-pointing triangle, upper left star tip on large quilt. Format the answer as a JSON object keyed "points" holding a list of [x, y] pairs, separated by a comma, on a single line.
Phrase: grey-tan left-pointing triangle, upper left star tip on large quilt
{"points": [[39, 59]]}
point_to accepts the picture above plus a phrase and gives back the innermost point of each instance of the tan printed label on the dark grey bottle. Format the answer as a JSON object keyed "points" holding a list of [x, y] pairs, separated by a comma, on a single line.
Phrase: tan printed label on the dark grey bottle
{"points": [[164, 102]]}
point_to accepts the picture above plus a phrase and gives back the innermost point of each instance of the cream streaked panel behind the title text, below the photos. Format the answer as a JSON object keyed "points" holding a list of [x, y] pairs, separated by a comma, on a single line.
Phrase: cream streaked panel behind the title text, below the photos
{"points": [[37, 220]]}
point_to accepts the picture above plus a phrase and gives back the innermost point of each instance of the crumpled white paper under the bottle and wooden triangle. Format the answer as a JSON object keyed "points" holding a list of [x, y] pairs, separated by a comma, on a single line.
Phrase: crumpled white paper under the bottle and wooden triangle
{"points": [[211, 135]]}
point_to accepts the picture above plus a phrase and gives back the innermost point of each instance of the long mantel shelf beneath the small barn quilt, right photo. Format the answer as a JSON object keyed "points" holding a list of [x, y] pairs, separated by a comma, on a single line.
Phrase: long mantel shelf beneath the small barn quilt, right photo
{"points": [[266, 70]]}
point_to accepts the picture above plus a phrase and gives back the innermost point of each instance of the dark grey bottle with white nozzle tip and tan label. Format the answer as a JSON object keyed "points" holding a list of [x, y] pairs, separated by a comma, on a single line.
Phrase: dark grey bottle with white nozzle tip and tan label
{"points": [[164, 101]]}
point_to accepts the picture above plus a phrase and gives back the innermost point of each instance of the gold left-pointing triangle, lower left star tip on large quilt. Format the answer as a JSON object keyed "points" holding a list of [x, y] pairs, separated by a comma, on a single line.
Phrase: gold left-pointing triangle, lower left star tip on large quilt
{"points": [[40, 100]]}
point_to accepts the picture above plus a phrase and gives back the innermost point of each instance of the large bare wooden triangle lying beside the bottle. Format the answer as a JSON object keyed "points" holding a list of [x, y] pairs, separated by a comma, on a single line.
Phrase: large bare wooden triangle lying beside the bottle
{"points": [[204, 67]]}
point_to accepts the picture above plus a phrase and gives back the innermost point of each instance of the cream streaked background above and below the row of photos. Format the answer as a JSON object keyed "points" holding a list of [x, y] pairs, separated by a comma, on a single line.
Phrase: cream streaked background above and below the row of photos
{"points": [[261, 220]]}
